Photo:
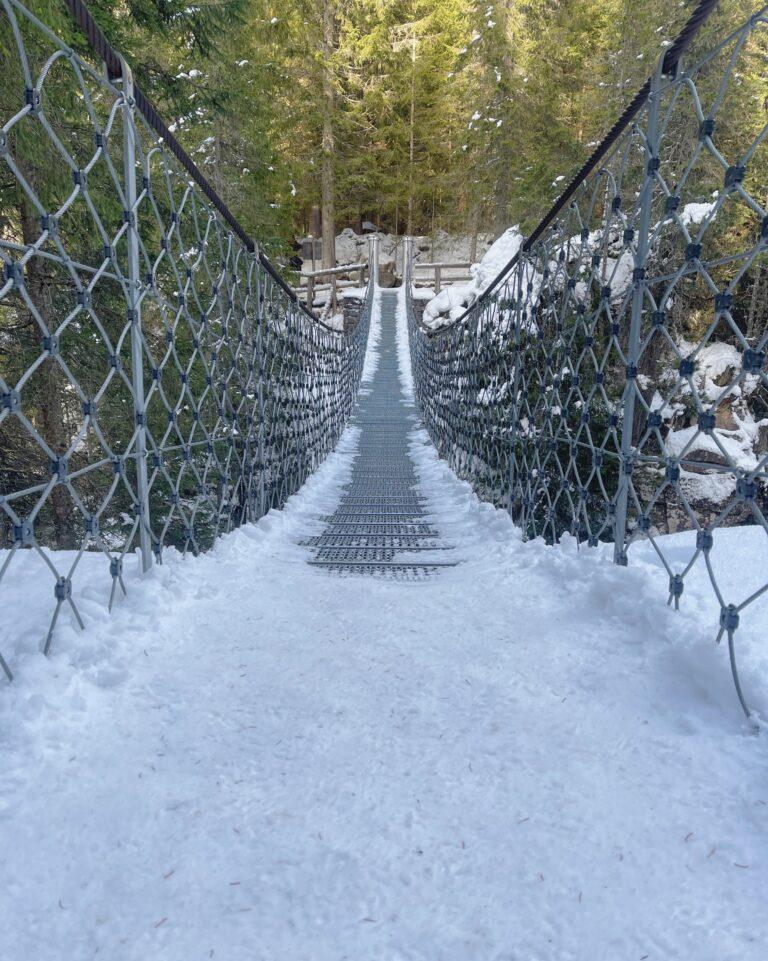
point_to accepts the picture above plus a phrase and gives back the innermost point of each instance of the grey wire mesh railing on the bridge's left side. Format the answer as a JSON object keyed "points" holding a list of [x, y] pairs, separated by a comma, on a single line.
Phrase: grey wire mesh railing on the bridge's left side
{"points": [[159, 383]]}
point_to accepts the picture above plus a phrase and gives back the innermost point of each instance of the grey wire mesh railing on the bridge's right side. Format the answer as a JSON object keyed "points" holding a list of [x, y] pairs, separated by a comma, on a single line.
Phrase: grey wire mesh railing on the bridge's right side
{"points": [[611, 383]]}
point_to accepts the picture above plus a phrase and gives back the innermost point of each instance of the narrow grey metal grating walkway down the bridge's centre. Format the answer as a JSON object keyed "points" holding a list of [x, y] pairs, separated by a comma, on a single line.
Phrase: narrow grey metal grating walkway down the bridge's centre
{"points": [[382, 525]]}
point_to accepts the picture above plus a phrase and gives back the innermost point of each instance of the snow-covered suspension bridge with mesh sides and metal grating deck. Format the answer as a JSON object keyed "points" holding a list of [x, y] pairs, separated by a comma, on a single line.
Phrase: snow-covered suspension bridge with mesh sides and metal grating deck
{"points": [[395, 642]]}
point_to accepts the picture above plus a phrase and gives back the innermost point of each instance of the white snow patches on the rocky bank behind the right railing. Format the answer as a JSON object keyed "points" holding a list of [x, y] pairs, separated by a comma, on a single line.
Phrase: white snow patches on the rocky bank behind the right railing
{"points": [[740, 438]]}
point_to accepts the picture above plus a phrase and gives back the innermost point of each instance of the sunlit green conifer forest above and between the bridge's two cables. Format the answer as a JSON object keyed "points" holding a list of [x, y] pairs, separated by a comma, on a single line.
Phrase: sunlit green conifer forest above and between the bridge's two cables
{"points": [[416, 114]]}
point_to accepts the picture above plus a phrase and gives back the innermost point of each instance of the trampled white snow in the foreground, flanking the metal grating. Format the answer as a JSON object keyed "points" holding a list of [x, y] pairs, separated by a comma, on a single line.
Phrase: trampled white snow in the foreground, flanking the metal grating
{"points": [[526, 756]]}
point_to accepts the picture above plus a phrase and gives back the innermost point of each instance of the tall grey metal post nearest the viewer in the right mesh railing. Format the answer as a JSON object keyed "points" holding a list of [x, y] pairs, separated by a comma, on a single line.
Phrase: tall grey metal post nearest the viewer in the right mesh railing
{"points": [[633, 347]]}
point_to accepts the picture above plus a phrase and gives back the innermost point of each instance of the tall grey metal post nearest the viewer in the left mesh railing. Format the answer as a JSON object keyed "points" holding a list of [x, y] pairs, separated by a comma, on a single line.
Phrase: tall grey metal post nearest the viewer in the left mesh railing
{"points": [[134, 312]]}
